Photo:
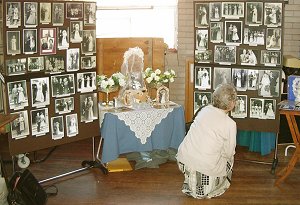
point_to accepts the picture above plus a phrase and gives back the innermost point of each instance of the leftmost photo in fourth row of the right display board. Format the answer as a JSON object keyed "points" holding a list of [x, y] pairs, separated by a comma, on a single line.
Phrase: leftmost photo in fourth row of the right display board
{"points": [[202, 77]]}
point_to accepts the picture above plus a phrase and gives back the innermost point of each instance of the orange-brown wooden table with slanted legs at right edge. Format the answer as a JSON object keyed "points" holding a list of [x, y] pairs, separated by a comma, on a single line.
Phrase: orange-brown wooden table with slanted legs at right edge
{"points": [[290, 116]]}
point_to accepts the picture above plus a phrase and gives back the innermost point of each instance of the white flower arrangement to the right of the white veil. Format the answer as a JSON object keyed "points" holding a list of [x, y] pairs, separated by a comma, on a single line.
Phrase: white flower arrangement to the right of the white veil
{"points": [[156, 76]]}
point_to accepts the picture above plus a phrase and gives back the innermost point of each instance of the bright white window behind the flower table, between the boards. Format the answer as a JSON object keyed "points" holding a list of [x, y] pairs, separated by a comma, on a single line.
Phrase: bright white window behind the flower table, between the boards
{"points": [[138, 18]]}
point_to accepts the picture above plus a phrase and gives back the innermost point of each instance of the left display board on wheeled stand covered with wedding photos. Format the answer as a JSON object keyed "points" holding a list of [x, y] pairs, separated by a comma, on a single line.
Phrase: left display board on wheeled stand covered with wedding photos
{"points": [[49, 67]]}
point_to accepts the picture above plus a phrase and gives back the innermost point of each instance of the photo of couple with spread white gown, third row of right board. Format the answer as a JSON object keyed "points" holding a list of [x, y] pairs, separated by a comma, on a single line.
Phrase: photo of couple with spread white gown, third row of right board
{"points": [[248, 56]]}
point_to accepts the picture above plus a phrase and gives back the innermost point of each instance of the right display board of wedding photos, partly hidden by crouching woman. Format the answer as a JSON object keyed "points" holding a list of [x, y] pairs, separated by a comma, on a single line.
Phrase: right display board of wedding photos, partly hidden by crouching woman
{"points": [[240, 42]]}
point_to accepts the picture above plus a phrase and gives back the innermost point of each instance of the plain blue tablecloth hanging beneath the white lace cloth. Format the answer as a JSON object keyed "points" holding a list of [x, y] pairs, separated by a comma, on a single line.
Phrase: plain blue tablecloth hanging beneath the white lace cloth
{"points": [[119, 139]]}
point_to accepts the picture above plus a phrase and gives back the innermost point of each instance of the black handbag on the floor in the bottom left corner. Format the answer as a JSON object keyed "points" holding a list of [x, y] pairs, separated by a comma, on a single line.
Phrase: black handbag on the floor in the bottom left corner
{"points": [[24, 189]]}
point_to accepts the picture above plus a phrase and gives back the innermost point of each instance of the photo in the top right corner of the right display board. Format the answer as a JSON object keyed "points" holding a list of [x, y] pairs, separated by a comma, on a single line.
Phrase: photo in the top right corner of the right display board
{"points": [[273, 14]]}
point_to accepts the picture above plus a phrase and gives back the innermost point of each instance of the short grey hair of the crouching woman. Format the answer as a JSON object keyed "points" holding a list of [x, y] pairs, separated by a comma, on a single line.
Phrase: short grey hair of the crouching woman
{"points": [[223, 96]]}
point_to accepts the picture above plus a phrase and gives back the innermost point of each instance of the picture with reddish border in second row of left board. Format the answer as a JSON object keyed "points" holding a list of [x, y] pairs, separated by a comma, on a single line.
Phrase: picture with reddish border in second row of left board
{"points": [[48, 41]]}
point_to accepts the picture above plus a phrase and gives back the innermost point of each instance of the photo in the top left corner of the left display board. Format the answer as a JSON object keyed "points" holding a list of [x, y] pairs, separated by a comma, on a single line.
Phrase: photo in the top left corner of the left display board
{"points": [[13, 14]]}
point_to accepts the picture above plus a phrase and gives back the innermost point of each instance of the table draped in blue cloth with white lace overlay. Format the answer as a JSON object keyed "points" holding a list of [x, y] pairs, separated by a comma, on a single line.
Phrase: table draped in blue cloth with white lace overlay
{"points": [[118, 138]]}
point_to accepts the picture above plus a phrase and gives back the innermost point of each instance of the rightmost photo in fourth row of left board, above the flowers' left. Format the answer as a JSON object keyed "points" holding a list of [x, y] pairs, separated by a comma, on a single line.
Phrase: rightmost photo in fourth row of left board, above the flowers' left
{"points": [[86, 82]]}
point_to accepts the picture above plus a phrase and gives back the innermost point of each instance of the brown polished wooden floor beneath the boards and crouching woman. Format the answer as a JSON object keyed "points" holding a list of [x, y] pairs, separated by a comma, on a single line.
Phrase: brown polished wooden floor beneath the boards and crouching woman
{"points": [[251, 184]]}
